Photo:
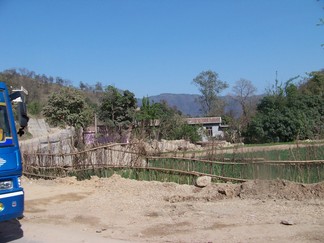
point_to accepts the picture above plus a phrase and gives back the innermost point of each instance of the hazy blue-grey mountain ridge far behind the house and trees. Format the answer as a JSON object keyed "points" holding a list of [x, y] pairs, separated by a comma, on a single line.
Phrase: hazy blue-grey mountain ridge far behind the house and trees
{"points": [[188, 105]]}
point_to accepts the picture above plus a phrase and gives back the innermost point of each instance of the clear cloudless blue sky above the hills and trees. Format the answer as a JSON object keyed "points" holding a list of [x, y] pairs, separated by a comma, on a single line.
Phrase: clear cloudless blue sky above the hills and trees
{"points": [[159, 46]]}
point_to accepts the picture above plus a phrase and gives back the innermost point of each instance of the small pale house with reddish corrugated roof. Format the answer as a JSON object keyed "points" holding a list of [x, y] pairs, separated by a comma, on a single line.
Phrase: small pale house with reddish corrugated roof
{"points": [[212, 126]]}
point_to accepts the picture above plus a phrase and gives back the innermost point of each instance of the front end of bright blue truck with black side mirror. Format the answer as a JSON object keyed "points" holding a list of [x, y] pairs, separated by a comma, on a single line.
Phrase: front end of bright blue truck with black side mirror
{"points": [[11, 191]]}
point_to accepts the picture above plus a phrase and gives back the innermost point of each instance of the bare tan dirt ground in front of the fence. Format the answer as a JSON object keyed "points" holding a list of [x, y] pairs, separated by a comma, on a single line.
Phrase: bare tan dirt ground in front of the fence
{"points": [[121, 210]]}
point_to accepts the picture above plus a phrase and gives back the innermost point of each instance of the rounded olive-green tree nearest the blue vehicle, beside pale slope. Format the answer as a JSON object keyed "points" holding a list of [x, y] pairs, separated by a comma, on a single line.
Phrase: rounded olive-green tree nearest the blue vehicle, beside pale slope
{"points": [[67, 107]]}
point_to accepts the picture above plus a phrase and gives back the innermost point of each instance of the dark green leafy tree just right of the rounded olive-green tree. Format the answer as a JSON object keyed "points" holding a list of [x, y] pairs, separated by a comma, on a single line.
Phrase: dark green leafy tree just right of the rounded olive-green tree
{"points": [[117, 108]]}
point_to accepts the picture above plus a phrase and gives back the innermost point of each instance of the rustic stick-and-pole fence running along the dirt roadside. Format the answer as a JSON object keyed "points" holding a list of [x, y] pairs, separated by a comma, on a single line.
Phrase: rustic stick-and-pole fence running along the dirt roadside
{"points": [[131, 161]]}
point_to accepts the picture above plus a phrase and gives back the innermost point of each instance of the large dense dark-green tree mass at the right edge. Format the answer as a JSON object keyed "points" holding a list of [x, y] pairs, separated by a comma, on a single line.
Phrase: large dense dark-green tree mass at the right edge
{"points": [[288, 113]]}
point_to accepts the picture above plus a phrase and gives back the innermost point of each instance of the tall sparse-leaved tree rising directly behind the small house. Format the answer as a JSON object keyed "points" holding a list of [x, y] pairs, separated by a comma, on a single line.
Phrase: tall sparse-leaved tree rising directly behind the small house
{"points": [[210, 87]]}
